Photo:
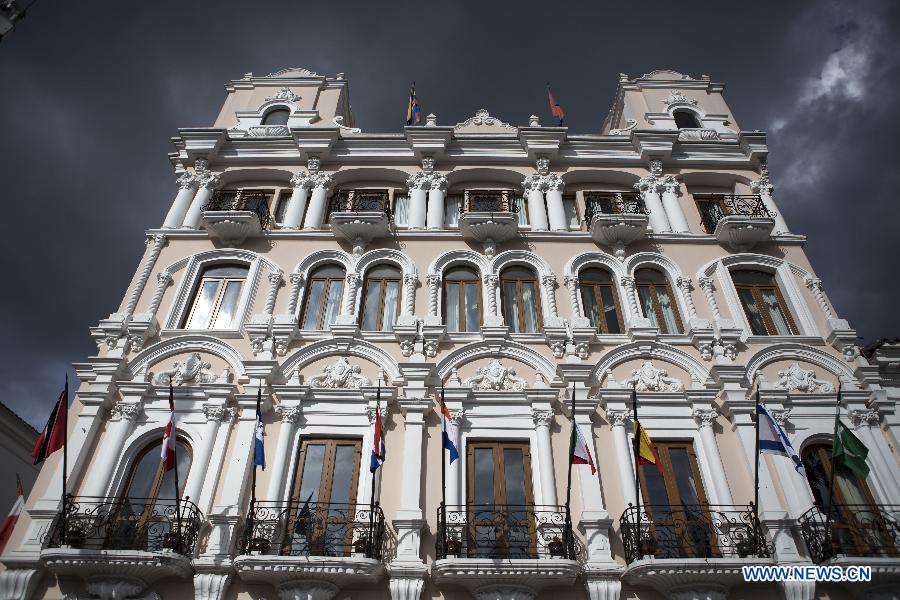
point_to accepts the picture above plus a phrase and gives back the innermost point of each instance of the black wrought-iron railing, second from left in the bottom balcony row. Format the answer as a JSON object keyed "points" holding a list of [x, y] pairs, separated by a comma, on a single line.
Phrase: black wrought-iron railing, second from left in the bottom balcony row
{"points": [[314, 529]]}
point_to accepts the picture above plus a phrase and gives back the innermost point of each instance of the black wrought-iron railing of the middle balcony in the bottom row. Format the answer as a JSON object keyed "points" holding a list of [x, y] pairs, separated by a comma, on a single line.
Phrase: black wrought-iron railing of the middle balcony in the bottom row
{"points": [[505, 532]]}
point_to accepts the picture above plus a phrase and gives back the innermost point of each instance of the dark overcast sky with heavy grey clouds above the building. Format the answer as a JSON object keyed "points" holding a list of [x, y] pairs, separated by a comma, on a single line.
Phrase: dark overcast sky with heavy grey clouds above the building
{"points": [[92, 92]]}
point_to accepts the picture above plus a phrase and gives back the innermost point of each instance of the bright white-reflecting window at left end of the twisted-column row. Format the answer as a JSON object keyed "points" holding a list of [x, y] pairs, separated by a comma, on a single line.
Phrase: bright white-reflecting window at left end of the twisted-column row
{"points": [[215, 302]]}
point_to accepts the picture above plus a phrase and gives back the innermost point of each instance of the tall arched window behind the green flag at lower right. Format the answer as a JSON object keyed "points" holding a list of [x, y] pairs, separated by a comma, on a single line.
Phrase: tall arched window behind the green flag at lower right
{"points": [[854, 513]]}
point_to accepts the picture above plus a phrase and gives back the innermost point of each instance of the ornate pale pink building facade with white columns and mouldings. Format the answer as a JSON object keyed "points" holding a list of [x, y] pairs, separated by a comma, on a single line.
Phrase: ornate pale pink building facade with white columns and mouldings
{"points": [[336, 273]]}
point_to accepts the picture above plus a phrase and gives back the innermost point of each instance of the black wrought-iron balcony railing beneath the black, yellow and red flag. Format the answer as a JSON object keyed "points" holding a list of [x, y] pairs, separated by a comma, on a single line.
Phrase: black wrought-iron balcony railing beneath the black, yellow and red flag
{"points": [[692, 531]]}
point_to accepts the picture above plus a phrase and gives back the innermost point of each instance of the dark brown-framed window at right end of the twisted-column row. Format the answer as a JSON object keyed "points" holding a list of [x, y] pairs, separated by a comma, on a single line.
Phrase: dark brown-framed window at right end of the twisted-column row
{"points": [[763, 303]]}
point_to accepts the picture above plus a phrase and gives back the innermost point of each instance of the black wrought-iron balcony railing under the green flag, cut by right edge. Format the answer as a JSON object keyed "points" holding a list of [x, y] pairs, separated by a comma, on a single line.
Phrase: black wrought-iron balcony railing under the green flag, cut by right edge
{"points": [[864, 530]]}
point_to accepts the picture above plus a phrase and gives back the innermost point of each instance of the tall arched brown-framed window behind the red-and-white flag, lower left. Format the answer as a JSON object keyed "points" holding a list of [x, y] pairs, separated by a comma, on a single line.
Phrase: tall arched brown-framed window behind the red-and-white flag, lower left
{"points": [[146, 511]]}
